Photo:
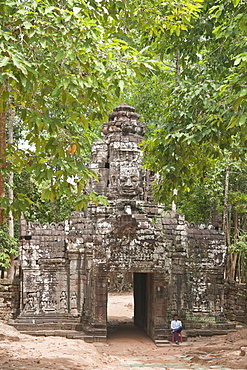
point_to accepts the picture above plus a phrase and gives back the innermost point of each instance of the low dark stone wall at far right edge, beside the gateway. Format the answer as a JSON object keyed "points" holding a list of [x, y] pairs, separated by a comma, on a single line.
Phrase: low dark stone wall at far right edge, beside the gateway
{"points": [[235, 305]]}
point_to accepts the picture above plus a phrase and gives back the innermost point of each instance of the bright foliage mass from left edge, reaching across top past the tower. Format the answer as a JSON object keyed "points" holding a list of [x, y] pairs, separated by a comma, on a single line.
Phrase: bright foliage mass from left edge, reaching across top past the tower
{"points": [[63, 65]]}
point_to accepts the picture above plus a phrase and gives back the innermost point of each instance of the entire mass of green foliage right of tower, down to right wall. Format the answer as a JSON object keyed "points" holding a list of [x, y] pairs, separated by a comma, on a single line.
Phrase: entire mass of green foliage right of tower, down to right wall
{"points": [[195, 108]]}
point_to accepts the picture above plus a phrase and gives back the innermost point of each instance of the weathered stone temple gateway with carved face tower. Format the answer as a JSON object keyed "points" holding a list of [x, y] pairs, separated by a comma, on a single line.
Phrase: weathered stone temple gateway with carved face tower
{"points": [[176, 266]]}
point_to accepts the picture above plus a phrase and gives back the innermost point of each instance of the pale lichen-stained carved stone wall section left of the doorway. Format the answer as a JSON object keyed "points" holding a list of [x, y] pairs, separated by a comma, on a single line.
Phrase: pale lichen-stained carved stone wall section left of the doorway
{"points": [[51, 273]]}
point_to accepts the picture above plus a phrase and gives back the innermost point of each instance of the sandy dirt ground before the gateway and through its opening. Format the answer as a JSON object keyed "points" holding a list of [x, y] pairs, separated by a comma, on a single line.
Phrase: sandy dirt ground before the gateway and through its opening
{"points": [[127, 347]]}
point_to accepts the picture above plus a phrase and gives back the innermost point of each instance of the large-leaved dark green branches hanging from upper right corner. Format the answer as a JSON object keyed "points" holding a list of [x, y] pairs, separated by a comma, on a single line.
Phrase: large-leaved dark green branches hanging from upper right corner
{"points": [[199, 118]]}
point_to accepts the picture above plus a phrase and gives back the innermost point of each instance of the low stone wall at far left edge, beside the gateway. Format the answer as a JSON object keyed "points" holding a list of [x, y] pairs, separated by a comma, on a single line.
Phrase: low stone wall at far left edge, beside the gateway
{"points": [[9, 300]]}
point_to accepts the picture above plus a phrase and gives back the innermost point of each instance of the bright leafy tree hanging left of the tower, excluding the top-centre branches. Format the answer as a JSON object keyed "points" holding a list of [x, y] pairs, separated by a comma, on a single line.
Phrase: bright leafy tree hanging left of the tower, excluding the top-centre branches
{"points": [[57, 56]]}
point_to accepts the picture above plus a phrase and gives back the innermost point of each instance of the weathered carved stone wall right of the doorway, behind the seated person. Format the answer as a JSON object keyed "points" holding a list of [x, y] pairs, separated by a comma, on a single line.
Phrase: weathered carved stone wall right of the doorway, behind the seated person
{"points": [[197, 269]]}
